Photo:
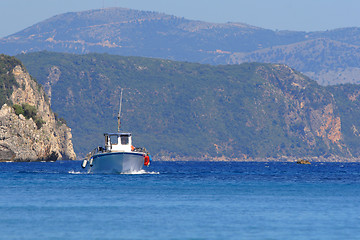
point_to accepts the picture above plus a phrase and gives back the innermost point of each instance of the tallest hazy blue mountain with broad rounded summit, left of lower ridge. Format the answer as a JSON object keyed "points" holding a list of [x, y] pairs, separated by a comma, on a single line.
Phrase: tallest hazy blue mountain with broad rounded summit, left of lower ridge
{"points": [[131, 32]]}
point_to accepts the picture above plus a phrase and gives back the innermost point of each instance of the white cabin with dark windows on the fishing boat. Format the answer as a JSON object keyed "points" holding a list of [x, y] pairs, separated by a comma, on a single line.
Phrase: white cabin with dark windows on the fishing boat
{"points": [[118, 142]]}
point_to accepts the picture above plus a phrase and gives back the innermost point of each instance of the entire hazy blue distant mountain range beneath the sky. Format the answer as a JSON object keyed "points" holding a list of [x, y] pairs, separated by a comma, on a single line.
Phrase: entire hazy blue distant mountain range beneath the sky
{"points": [[329, 57]]}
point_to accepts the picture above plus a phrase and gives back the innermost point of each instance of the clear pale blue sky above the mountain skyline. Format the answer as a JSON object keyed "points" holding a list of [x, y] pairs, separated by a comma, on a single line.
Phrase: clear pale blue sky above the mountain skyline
{"points": [[303, 15]]}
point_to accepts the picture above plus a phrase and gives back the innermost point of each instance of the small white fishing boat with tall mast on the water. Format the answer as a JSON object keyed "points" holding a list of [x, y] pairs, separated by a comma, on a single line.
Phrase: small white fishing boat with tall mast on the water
{"points": [[118, 154]]}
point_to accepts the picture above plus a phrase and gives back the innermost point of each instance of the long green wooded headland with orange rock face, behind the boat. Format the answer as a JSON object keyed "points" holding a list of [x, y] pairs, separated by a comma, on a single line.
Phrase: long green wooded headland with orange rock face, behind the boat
{"points": [[188, 109]]}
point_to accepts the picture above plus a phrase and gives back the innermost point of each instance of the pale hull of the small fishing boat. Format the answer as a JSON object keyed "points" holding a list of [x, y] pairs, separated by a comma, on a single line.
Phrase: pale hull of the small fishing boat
{"points": [[117, 162]]}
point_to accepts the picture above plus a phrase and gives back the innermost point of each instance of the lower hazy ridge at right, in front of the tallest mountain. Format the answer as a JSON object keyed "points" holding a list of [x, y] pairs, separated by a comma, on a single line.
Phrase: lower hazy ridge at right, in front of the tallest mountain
{"points": [[327, 60]]}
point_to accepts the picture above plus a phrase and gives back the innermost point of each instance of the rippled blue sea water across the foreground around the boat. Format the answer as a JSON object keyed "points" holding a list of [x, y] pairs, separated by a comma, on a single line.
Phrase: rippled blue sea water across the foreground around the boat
{"points": [[181, 200]]}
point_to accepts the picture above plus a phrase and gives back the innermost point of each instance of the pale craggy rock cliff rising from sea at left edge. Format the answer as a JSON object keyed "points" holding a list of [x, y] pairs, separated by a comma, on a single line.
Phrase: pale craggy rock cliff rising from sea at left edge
{"points": [[22, 138]]}
